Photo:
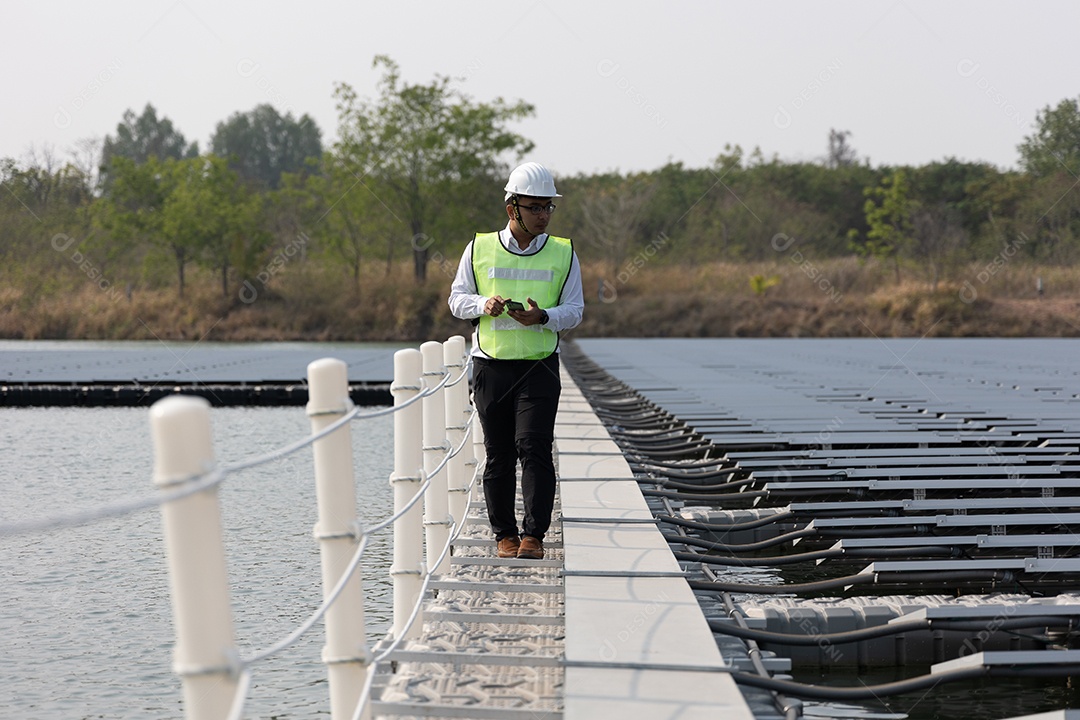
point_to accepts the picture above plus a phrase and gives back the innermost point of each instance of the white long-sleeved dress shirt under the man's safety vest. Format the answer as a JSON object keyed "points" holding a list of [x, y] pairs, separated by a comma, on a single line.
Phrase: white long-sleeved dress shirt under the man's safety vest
{"points": [[467, 305]]}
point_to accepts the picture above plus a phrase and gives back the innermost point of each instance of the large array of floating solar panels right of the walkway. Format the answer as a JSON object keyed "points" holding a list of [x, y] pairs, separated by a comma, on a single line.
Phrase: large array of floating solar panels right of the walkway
{"points": [[971, 444]]}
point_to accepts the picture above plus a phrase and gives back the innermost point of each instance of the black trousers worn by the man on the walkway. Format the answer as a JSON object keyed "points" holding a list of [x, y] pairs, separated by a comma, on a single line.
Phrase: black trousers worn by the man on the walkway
{"points": [[517, 402]]}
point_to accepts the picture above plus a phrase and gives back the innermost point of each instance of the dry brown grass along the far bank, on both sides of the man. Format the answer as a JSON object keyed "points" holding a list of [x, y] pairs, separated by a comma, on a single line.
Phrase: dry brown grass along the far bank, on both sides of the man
{"points": [[835, 298]]}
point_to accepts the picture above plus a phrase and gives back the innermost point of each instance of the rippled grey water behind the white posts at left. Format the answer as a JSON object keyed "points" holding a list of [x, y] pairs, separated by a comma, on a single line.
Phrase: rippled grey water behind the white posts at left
{"points": [[86, 623]]}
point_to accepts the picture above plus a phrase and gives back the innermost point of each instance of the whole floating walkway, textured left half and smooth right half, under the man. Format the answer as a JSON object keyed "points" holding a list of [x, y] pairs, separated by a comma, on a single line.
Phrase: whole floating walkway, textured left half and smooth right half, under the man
{"points": [[606, 626]]}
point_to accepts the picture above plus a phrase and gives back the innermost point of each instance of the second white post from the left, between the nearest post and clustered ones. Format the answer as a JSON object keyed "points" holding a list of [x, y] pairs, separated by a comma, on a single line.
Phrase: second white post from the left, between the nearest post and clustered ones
{"points": [[346, 651]]}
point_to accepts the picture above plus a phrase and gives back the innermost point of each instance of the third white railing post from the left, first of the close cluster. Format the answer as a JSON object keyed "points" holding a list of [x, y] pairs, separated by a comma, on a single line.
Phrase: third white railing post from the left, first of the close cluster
{"points": [[408, 570]]}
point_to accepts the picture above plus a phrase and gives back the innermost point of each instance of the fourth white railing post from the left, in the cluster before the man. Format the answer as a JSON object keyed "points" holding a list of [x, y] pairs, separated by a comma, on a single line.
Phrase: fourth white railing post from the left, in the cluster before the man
{"points": [[437, 521]]}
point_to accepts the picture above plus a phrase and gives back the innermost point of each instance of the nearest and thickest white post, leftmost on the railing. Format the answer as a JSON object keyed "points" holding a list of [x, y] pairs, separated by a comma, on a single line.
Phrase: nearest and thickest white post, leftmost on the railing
{"points": [[206, 647]]}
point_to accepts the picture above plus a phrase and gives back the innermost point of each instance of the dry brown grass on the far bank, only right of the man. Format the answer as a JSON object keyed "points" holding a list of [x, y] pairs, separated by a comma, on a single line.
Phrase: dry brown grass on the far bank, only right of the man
{"points": [[835, 298]]}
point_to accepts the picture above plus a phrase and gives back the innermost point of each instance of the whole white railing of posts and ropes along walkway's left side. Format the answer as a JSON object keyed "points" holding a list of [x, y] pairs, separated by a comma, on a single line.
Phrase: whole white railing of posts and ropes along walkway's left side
{"points": [[429, 397]]}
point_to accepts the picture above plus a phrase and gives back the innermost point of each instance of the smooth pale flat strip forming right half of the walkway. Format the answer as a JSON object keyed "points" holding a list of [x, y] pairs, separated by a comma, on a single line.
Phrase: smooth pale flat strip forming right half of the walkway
{"points": [[638, 644]]}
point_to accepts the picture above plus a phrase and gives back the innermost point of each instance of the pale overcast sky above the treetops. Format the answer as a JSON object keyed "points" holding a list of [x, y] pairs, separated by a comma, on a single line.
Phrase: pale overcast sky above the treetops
{"points": [[623, 86]]}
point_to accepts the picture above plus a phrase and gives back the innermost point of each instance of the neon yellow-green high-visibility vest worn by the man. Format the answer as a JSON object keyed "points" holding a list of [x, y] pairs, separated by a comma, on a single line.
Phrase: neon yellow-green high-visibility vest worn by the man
{"points": [[541, 277]]}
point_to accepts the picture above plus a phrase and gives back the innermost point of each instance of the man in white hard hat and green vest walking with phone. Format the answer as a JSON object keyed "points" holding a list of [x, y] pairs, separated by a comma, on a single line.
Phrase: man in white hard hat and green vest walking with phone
{"points": [[521, 288]]}
